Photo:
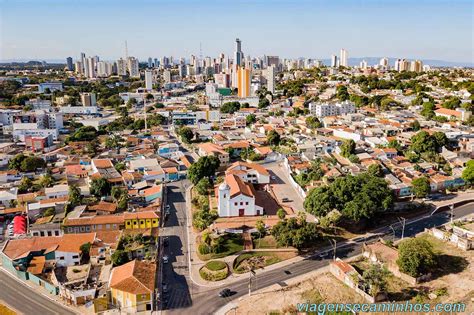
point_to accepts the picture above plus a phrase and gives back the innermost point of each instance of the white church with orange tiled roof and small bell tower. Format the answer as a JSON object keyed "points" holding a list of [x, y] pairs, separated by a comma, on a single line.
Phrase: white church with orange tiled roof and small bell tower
{"points": [[236, 198]]}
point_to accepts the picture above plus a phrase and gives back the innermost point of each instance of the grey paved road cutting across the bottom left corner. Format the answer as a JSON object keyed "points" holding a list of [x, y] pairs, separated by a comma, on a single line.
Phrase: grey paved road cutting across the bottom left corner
{"points": [[26, 300]]}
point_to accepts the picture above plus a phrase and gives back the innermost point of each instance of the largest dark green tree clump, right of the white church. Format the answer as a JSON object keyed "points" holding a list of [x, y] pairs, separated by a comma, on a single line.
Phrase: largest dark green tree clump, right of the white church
{"points": [[357, 197]]}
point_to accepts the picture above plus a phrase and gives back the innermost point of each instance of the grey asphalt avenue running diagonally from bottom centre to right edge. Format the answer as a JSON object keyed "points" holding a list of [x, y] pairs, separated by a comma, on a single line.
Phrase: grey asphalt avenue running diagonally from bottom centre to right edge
{"points": [[205, 300]]}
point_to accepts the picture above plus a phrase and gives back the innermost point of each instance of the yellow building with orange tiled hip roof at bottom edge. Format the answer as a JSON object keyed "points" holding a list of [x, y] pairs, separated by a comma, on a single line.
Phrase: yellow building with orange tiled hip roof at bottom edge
{"points": [[132, 286]]}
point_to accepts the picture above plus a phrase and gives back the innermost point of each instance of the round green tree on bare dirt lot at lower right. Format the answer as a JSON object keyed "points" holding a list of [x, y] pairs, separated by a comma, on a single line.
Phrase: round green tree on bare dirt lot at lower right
{"points": [[415, 257]]}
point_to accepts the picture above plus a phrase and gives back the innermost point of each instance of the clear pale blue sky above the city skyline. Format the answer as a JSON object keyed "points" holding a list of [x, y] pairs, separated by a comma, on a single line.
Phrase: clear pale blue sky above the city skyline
{"points": [[56, 29]]}
